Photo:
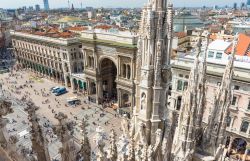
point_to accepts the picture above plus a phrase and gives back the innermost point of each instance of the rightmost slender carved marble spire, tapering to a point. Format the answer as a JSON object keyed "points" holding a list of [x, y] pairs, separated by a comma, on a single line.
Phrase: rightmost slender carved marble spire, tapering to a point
{"points": [[215, 132]]}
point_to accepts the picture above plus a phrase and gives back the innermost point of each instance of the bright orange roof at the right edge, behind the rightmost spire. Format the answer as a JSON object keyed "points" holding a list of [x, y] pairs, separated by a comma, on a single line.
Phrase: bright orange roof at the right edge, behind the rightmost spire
{"points": [[243, 46]]}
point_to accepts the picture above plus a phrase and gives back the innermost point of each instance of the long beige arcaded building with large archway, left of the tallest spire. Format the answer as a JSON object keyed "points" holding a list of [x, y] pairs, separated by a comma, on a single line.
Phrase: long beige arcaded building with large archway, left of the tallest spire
{"points": [[98, 62]]}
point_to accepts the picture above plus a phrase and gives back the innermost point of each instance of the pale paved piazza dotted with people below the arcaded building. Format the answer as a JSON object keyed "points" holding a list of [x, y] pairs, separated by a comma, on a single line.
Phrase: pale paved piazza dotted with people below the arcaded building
{"points": [[27, 83]]}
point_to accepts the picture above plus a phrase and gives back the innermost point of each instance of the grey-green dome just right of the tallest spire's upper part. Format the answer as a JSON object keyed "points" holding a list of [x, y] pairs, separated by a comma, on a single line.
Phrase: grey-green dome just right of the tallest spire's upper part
{"points": [[188, 20]]}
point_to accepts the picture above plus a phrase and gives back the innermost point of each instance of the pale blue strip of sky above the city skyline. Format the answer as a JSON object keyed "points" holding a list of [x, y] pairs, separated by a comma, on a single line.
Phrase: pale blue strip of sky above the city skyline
{"points": [[113, 3]]}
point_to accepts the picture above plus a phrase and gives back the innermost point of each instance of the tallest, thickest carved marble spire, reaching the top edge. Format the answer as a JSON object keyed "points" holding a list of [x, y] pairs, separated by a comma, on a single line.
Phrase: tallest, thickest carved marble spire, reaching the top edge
{"points": [[153, 67]]}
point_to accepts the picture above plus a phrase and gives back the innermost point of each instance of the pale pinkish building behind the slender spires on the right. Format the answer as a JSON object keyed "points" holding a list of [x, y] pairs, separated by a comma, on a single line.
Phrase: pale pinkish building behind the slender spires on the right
{"points": [[238, 123]]}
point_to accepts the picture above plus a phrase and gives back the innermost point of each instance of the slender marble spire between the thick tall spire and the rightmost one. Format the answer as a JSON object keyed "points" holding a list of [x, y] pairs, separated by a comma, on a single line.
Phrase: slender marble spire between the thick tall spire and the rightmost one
{"points": [[193, 105]]}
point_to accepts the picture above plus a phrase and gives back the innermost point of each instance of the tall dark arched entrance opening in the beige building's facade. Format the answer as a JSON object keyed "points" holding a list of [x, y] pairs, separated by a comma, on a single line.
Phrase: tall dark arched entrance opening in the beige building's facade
{"points": [[107, 80]]}
